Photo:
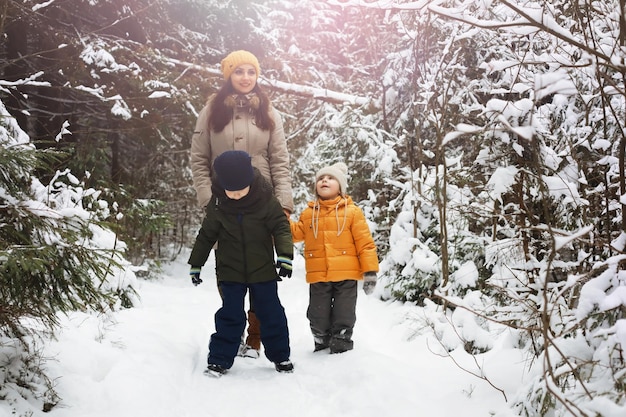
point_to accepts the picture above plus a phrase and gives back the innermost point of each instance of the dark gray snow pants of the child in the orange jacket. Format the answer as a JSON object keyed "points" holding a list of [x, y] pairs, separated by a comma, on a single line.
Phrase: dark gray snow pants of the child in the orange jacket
{"points": [[332, 315]]}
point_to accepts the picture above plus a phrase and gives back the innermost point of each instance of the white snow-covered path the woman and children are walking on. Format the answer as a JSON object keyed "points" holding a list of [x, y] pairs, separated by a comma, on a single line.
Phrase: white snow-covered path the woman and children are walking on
{"points": [[148, 361]]}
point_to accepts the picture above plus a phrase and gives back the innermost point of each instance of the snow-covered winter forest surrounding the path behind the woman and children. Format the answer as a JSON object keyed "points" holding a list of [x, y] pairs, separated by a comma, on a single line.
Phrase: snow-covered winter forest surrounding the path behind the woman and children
{"points": [[485, 142]]}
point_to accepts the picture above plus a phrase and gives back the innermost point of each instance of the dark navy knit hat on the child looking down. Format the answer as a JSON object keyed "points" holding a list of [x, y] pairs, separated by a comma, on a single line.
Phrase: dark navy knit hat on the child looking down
{"points": [[234, 170]]}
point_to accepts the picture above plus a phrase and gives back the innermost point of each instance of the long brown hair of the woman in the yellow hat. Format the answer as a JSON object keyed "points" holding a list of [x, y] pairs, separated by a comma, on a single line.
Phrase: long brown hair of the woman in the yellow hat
{"points": [[221, 114]]}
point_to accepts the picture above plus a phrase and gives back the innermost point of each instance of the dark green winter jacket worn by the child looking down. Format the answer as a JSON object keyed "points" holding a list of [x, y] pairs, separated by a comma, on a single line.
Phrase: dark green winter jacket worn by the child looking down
{"points": [[247, 232]]}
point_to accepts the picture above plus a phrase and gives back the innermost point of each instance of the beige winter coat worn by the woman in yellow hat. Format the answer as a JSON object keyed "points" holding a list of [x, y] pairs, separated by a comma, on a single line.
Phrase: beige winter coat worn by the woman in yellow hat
{"points": [[268, 150]]}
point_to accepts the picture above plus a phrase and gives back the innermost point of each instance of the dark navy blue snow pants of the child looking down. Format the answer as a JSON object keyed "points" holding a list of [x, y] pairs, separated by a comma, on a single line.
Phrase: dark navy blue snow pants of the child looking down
{"points": [[230, 322]]}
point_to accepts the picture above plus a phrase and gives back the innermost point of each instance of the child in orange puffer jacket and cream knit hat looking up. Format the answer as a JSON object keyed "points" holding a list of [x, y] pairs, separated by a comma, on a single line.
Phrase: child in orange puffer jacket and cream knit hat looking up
{"points": [[339, 251]]}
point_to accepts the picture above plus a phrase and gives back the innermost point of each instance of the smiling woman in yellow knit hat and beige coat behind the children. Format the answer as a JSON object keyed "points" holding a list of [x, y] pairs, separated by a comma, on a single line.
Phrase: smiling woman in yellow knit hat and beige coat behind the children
{"points": [[240, 117]]}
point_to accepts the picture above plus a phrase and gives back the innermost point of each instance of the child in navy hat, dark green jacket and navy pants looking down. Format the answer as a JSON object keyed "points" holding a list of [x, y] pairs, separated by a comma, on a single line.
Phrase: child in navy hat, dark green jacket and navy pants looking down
{"points": [[248, 223]]}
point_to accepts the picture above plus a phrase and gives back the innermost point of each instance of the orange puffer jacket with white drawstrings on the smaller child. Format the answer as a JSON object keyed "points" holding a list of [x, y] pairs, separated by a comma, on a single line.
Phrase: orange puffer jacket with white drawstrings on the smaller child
{"points": [[338, 244]]}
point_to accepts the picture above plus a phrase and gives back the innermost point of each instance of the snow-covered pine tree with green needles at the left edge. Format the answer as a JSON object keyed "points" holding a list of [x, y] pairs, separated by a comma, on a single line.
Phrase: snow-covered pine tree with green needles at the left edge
{"points": [[56, 256]]}
